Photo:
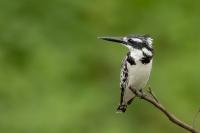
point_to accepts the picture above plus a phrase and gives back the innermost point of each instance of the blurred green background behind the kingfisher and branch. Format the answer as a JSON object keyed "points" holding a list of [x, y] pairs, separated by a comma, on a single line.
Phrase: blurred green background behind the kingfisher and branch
{"points": [[57, 77]]}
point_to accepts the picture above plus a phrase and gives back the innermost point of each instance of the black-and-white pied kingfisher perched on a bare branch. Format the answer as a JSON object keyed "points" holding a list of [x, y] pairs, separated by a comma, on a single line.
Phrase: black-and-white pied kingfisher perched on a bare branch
{"points": [[135, 68]]}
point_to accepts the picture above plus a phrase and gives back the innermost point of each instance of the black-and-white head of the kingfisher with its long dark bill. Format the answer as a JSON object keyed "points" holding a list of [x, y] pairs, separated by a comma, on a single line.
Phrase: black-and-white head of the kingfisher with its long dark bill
{"points": [[133, 41]]}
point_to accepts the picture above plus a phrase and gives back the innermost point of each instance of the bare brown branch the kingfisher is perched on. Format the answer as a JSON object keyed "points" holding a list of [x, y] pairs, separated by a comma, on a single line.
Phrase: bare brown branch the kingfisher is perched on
{"points": [[151, 98]]}
